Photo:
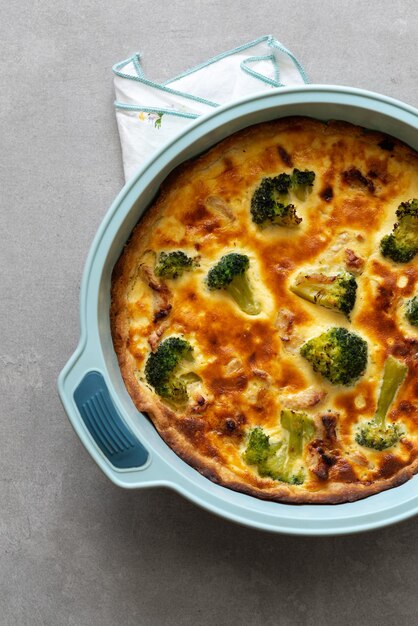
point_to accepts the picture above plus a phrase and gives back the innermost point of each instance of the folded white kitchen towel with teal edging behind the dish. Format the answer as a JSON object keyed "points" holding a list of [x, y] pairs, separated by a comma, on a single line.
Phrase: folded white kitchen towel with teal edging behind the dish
{"points": [[149, 114]]}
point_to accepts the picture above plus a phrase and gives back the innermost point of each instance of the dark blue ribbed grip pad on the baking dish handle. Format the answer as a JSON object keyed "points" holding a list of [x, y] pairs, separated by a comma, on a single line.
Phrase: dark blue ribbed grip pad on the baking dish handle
{"points": [[104, 423]]}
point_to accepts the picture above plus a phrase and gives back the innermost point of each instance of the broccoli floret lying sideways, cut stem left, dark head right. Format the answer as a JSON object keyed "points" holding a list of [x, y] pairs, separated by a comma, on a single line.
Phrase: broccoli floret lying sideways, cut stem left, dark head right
{"points": [[332, 290]]}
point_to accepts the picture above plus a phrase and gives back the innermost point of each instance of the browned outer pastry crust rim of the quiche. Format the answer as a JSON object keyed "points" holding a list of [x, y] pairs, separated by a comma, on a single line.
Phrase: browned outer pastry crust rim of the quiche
{"points": [[164, 418]]}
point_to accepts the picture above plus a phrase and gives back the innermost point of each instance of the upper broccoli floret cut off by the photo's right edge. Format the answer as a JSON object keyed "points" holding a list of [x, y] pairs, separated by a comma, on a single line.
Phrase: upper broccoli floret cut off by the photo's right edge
{"points": [[402, 244]]}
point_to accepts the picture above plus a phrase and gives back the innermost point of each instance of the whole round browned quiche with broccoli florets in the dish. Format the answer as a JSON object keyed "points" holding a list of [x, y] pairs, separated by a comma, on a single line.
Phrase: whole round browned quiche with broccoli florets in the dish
{"points": [[264, 312]]}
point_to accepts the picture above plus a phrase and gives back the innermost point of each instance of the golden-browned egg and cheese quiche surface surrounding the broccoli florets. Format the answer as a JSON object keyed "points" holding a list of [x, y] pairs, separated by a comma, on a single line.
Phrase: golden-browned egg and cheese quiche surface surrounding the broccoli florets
{"points": [[249, 366]]}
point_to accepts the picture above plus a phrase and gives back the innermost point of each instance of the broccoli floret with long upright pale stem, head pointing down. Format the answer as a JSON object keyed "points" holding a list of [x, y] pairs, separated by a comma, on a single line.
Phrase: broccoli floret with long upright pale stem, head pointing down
{"points": [[377, 433]]}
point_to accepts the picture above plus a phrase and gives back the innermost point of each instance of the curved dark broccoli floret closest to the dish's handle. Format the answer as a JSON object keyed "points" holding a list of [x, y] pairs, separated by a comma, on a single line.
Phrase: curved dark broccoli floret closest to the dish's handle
{"points": [[161, 366]]}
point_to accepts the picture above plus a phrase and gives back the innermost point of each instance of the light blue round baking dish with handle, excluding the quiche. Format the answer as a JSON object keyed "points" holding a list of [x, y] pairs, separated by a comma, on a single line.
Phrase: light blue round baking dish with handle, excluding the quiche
{"points": [[121, 440]]}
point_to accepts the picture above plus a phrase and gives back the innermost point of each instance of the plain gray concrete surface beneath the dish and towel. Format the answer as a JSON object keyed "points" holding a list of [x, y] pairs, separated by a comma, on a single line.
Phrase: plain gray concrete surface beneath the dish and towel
{"points": [[75, 550]]}
